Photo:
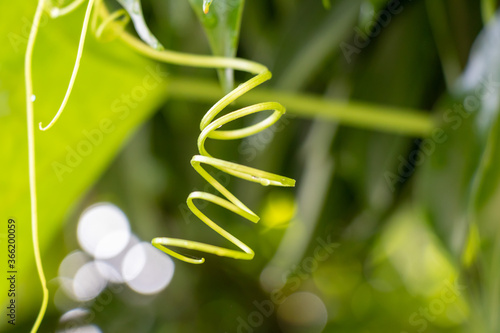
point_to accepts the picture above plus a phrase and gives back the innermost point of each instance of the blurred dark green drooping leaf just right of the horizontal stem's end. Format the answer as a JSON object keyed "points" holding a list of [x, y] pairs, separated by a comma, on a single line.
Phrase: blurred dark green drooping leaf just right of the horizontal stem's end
{"points": [[448, 157]]}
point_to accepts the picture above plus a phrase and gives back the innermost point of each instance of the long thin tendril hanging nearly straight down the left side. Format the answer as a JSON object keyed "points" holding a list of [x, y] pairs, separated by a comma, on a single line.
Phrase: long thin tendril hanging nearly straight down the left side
{"points": [[31, 158]]}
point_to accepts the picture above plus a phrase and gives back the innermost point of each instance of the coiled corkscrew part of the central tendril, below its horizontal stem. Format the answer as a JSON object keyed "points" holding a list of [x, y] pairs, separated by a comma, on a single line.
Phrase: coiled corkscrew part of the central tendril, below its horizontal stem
{"points": [[210, 130]]}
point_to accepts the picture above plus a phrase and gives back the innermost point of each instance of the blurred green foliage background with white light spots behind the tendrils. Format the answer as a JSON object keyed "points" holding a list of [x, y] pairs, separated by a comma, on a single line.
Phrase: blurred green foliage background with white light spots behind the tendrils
{"points": [[393, 224]]}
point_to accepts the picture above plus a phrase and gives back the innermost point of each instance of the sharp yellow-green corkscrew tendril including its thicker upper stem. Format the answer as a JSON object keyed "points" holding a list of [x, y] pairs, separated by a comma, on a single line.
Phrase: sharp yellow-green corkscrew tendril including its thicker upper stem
{"points": [[210, 129]]}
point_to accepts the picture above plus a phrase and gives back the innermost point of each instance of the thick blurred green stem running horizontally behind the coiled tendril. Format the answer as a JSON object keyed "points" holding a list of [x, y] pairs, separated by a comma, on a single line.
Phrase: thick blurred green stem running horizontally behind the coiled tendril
{"points": [[363, 115]]}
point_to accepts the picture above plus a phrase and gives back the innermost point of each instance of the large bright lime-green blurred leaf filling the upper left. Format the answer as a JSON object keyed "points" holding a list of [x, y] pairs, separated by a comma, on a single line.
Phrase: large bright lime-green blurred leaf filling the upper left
{"points": [[115, 91]]}
